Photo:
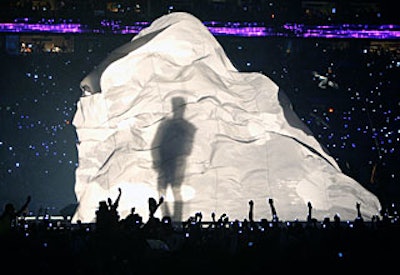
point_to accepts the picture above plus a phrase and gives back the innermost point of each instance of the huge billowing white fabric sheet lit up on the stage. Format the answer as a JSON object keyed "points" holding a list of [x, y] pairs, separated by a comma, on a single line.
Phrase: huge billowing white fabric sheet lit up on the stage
{"points": [[233, 137]]}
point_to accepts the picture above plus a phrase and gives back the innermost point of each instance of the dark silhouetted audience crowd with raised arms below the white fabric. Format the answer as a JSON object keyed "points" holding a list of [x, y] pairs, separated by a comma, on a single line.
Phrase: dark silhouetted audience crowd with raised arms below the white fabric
{"points": [[159, 246]]}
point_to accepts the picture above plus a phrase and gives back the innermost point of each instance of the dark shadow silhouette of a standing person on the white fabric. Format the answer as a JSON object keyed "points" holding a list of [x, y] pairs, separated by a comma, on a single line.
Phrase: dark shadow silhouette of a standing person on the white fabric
{"points": [[171, 146]]}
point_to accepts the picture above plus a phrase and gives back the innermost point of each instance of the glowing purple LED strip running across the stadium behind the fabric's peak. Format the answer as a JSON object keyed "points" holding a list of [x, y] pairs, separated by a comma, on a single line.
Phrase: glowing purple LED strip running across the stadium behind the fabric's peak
{"points": [[245, 29]]}
